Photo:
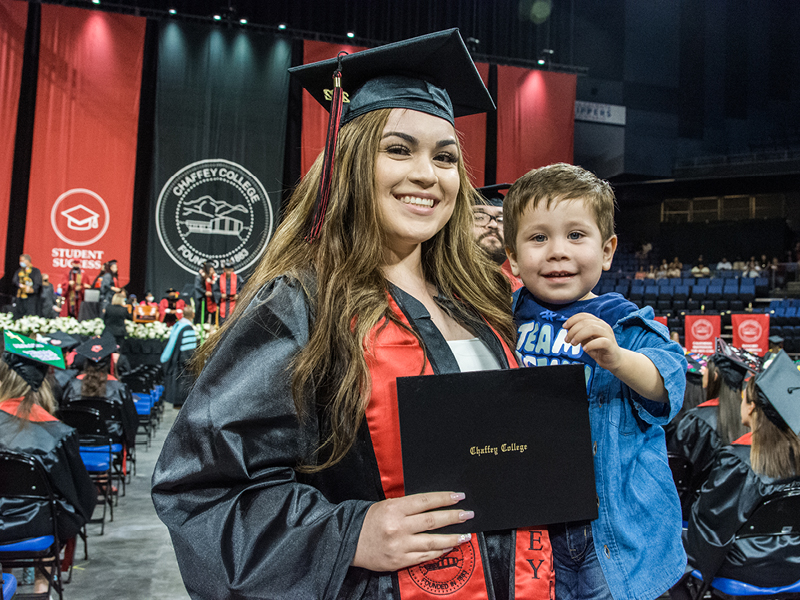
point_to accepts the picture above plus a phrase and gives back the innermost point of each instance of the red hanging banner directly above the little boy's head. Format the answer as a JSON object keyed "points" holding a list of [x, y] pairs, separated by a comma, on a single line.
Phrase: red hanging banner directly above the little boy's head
{"points": [[535, 120]]}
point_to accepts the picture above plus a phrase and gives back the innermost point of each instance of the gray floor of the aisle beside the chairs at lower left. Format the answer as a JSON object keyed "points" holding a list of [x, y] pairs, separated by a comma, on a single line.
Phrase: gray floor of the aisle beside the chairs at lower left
{"points": [[133, 559]]}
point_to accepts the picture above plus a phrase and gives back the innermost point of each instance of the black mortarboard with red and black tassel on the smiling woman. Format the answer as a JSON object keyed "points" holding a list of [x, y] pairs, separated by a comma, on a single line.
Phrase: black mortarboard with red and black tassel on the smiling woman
{"points": [[432, 73]]}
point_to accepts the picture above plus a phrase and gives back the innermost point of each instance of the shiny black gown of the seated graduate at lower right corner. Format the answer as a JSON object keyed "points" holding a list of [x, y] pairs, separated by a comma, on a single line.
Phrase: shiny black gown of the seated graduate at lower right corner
{"points": [[728, 498]]}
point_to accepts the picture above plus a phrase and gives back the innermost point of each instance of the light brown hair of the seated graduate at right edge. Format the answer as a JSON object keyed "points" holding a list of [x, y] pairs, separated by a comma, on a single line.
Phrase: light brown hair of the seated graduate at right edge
{"points": [[775, 451]]}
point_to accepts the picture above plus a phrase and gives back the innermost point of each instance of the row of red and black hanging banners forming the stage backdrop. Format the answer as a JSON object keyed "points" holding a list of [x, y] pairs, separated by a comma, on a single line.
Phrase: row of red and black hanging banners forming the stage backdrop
{"points": [[164, 143]]}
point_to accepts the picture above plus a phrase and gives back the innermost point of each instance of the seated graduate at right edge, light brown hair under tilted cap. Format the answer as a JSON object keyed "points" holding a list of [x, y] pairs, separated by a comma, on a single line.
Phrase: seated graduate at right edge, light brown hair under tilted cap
{"points": [[745, 473]]}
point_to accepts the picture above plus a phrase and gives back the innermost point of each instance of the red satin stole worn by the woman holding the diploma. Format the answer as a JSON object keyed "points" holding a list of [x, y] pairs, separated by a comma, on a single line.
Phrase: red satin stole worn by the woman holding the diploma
{"points": [[393, 351]]}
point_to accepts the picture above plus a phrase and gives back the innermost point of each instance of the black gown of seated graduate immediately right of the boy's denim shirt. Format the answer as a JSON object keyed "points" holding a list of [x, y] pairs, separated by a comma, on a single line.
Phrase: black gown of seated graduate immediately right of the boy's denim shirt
{"points": [[696, 439]]}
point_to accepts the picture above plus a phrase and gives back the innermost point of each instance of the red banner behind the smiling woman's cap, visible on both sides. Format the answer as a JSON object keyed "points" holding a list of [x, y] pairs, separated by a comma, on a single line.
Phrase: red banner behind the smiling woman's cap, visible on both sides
{"points": [[471, 129]]}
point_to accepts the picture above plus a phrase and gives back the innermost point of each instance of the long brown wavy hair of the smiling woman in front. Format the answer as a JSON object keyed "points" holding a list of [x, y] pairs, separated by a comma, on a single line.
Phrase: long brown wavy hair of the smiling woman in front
{"points": [[350, 295]]}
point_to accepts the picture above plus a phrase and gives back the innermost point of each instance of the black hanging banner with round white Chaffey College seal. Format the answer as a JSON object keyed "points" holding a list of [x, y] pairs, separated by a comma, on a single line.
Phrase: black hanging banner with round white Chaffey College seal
{"points": [[221, 102]]}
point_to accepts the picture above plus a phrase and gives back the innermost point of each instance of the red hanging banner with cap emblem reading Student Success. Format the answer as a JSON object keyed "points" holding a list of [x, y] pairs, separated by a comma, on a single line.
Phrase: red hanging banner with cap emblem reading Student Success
{"points": [[84, 141]]}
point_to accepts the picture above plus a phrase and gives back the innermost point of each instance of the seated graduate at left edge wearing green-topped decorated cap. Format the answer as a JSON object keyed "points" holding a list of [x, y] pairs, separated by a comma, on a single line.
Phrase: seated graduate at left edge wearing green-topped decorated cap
{"points": [[27, 425]]}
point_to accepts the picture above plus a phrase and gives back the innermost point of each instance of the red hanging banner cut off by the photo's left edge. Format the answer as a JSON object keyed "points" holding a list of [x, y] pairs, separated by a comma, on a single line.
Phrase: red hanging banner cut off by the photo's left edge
{"points": [[13, 21]]}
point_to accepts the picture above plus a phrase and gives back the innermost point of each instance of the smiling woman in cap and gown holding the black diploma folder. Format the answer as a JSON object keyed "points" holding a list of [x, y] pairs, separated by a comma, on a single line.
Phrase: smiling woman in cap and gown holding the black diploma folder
{"points": [[281, 477]]}
